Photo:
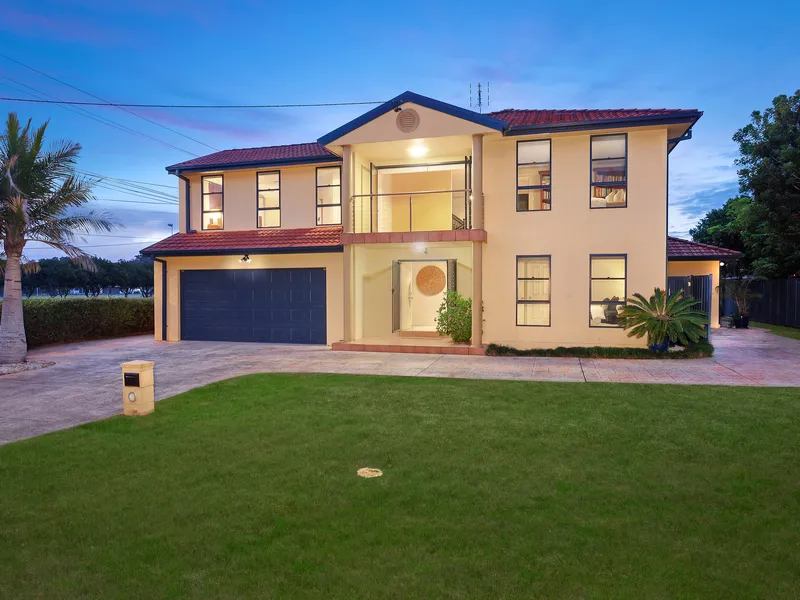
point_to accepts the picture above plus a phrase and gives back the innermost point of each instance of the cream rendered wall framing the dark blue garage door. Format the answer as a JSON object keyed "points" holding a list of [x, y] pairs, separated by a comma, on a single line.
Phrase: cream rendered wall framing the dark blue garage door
{"points": [[331, 262]]}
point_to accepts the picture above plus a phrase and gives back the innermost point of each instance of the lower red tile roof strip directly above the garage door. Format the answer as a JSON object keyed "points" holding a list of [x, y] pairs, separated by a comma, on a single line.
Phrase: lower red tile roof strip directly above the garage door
{"points": [[217, 242]]}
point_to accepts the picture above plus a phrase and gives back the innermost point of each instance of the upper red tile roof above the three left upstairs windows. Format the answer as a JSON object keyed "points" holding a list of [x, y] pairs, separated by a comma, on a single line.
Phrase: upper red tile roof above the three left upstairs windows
{"points": [[291, 153]]}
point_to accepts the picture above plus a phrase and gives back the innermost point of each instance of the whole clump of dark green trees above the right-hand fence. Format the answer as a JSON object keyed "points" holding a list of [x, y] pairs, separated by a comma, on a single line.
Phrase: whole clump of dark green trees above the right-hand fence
{"points": [[764, 221]]}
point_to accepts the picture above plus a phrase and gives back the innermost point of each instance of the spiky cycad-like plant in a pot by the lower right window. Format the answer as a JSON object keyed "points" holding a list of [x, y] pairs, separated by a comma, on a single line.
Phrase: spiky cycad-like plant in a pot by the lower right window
{"points": [[664, 318]]}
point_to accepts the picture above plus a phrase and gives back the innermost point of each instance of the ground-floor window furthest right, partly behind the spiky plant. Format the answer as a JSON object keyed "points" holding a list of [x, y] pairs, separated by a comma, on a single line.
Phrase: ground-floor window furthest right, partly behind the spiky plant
{"points": [[607, 288]]}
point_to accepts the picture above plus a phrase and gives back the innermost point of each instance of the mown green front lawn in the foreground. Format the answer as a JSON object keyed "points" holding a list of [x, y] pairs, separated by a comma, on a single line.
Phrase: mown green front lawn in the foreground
{"points": [[247, 489]]}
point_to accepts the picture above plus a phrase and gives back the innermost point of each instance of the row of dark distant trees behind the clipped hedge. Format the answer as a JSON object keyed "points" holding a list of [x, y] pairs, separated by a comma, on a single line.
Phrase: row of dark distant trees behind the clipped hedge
{"points": [[61, 276]]}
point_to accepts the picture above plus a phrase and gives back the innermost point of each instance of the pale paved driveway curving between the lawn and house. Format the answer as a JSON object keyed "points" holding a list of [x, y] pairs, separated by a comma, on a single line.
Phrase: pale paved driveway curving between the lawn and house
{"points": [[85, 383]]}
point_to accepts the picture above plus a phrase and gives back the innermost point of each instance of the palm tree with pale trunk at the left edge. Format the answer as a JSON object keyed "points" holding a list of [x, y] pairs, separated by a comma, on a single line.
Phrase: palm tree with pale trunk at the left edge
{"points": [[38, 194]]}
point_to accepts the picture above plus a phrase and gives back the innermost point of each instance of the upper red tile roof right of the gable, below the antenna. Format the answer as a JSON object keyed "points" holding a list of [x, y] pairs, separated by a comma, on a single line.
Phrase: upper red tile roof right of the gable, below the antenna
{"points": [[525, 118]]}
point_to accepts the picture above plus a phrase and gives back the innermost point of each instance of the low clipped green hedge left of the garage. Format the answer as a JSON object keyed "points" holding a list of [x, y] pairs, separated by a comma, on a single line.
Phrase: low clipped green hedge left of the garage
{"points": [[63, 320]]}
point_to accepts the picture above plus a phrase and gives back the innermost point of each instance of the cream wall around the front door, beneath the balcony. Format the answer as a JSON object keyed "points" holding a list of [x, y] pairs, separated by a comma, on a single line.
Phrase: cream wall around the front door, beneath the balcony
{"points": [[373, 280]]}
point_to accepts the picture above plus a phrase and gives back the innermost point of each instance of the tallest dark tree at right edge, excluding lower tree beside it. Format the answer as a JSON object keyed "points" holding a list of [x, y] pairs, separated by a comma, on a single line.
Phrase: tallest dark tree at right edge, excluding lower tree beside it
{"points": [[770, 174]]}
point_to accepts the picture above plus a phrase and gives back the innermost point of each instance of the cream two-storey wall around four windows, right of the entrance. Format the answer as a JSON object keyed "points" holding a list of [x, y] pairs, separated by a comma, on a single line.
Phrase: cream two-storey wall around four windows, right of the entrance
{"points": [[569, 233]]}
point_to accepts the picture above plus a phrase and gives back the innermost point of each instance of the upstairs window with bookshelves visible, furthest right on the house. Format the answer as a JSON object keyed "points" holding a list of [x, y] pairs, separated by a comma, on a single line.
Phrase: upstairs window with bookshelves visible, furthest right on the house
{"points": [[609, 187]]}
